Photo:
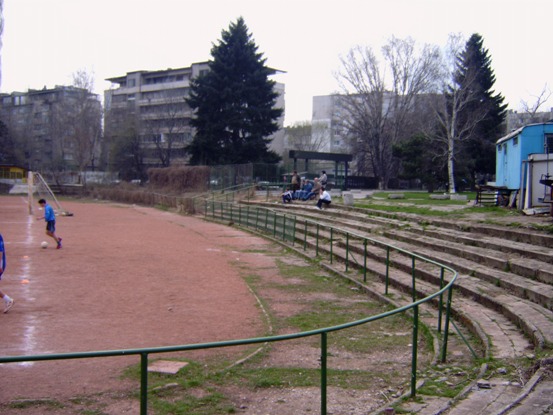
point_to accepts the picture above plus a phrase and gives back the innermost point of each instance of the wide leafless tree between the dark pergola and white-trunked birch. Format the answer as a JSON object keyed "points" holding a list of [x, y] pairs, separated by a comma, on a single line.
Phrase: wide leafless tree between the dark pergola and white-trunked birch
{"points": [[378, 111]]}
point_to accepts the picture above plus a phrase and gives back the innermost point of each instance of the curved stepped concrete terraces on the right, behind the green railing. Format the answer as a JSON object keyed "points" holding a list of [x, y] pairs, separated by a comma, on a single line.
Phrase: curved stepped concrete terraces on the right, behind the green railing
{"points": [[504, 292]]}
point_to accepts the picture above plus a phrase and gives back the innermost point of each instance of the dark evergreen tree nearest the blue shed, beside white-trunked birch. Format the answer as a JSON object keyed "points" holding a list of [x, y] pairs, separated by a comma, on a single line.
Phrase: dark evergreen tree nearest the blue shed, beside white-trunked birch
{"points": [[474, 71]]}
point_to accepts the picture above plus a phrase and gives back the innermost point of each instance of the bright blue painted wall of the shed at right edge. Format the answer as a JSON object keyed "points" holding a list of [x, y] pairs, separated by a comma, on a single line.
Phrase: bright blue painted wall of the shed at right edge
{"points": [[514, 148]]}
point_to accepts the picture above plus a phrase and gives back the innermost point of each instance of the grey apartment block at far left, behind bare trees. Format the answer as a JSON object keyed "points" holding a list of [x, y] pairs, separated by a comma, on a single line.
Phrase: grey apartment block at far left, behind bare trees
{"points": [[55, 130]]}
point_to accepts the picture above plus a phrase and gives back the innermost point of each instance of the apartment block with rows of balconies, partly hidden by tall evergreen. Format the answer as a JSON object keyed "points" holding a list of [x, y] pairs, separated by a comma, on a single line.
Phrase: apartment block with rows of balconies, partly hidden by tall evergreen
{"points": [[157, 102]]}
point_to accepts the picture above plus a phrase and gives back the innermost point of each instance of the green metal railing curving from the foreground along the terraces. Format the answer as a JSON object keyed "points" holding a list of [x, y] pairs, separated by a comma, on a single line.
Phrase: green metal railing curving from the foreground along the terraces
{"points": [[324, 240]]}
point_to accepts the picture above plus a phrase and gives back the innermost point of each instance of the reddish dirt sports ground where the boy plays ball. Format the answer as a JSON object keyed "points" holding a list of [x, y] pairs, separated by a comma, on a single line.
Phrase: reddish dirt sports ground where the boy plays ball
{"points": [[127, 277]]}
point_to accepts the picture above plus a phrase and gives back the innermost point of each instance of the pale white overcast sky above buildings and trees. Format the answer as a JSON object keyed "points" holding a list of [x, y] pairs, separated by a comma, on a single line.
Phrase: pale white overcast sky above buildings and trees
{"points": [[46, 41]]}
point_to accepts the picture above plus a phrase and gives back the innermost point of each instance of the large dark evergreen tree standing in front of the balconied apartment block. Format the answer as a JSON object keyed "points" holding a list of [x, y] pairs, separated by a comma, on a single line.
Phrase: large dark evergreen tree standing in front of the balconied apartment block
{"points": [[234, 103]]}
